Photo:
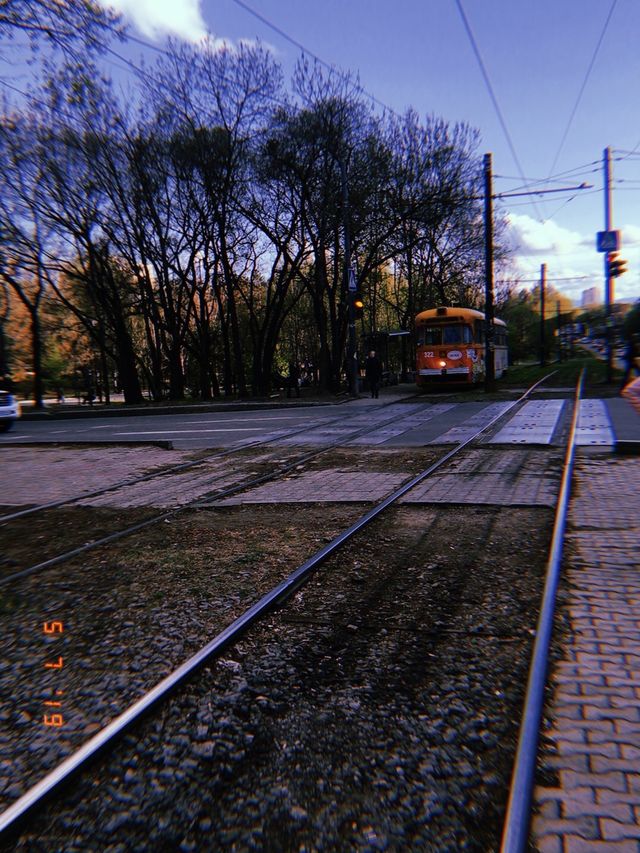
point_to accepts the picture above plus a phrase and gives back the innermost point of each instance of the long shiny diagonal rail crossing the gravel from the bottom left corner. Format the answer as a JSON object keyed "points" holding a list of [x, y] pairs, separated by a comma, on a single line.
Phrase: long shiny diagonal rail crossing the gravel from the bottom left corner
{"points": [[228, 636]]}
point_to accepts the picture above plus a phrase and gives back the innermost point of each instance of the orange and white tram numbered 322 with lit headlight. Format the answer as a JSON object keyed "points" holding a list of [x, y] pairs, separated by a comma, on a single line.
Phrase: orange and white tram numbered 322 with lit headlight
{"points": [[451, 346]]}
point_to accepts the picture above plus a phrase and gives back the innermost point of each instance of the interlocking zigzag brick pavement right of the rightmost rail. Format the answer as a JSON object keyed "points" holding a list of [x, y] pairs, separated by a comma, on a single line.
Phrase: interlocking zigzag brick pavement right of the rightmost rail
{"points": [[595, 711]]}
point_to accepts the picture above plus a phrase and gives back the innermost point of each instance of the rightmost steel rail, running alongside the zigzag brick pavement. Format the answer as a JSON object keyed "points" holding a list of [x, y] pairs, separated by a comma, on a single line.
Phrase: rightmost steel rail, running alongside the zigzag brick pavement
{"points": [[516, 827]]}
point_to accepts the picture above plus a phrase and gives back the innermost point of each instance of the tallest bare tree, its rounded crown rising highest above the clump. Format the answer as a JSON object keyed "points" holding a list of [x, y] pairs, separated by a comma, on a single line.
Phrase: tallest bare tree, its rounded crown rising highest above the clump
{"points": [[218, 103]]}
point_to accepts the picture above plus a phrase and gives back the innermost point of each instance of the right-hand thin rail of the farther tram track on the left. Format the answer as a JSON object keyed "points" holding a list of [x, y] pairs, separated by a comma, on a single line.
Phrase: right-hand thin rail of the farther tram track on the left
{"points": [[194, 504]]}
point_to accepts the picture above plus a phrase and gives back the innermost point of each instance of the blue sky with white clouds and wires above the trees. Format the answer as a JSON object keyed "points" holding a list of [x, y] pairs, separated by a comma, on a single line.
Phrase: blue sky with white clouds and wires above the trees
{"points": [[561, 85]]}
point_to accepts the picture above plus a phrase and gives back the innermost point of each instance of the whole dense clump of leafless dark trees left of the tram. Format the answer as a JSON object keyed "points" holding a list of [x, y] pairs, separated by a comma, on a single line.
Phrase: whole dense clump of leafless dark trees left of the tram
{"points": [[200, 240]]}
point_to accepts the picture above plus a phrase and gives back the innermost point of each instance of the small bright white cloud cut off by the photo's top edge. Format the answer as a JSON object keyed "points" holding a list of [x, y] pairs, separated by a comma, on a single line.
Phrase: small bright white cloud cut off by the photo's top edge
{"points": [[155, 18]]}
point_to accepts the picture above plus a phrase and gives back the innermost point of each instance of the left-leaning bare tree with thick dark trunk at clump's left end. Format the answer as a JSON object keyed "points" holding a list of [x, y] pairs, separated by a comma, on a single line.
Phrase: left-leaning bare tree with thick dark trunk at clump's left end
{"points": [[78, 265]]}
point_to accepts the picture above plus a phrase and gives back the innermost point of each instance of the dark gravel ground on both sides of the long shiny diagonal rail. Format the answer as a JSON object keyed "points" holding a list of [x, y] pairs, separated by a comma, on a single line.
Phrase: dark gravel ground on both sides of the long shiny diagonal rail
{"points": [[377, 715]]}
